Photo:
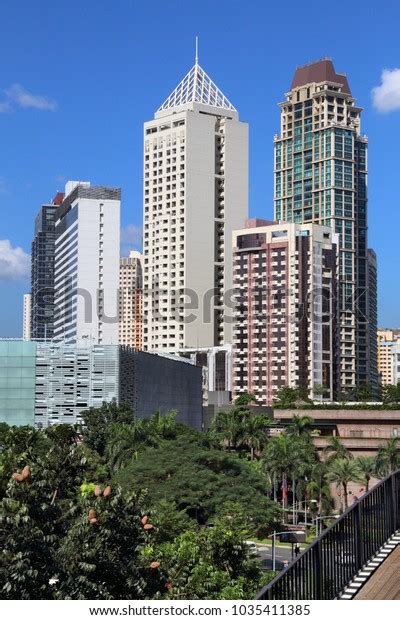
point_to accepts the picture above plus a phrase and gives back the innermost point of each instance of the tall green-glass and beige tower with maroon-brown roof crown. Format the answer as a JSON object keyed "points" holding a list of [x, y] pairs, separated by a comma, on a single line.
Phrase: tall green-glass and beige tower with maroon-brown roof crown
{"points": [[321, 177]]}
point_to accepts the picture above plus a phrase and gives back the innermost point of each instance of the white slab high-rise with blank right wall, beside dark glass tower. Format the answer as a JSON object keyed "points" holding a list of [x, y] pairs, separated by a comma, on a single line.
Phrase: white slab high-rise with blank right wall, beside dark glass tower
{"points": [[86, 273]]}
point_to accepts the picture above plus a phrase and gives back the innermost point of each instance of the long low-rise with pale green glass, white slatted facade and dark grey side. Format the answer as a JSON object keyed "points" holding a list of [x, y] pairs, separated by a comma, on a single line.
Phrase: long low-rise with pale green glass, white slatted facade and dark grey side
{"points": [[44, 383]]}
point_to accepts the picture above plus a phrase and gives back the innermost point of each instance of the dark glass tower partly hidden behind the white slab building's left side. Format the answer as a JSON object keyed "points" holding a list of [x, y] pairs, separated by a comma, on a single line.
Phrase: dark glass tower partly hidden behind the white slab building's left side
{"points": [[42, 271]]}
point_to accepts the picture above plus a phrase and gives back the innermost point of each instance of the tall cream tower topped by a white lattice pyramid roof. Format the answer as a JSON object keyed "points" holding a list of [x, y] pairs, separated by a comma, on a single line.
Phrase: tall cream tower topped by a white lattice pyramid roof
{"points": [[195, 195]]}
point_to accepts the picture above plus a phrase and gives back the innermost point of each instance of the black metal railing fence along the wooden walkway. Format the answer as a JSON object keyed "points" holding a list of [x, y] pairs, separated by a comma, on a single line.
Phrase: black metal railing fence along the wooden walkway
{"points": [[324, 569]]}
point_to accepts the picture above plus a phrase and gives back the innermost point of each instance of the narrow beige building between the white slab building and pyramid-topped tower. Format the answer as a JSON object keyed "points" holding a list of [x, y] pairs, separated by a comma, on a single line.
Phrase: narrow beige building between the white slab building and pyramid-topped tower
{"points": [[131, 300]]}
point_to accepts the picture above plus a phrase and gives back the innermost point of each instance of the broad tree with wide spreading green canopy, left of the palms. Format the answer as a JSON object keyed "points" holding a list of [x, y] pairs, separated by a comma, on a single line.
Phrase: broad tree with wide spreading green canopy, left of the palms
{"points": [[199, 480]]}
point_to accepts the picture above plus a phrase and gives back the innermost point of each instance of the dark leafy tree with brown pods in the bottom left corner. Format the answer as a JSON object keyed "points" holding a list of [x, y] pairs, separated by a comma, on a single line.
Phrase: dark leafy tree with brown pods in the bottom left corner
{"points": [[32, 510]]}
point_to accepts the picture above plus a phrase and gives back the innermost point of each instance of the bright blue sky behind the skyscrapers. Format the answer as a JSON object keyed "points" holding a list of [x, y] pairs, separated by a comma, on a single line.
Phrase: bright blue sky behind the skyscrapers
{"points": [[78, 79]]}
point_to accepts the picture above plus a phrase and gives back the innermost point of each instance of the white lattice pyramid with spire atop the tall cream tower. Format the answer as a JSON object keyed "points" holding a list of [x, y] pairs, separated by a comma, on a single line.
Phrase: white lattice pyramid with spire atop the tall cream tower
{"points": [[197, 87]]}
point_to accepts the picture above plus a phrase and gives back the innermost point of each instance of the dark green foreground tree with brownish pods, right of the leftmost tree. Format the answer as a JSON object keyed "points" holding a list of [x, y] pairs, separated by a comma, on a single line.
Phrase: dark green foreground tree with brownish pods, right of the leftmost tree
{"points": [[101, 555]]}
